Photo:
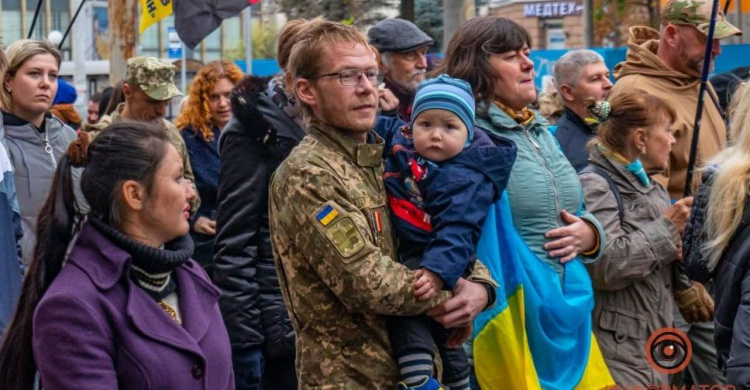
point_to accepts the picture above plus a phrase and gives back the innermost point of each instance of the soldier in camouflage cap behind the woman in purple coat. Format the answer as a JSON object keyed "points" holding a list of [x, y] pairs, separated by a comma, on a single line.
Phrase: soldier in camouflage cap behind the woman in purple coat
{"points": [[149, 86]]}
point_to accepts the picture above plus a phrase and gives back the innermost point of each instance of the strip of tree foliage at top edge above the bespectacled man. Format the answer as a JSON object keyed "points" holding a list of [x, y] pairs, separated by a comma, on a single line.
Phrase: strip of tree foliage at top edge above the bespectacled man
{"points": [[358, 12]]}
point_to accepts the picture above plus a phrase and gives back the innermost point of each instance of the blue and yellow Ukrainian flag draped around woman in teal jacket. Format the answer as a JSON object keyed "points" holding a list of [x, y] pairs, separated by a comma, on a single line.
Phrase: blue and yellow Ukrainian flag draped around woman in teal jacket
{"points": [[538, 335]]}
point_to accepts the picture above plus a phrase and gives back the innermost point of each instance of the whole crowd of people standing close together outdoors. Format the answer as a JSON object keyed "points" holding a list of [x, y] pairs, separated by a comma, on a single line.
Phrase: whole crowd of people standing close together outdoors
{"points": [[327, 227]]}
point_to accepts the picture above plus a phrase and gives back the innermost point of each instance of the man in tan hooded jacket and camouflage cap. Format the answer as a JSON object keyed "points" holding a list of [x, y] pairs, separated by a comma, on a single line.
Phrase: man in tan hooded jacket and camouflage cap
{"points": [[668, 64]]}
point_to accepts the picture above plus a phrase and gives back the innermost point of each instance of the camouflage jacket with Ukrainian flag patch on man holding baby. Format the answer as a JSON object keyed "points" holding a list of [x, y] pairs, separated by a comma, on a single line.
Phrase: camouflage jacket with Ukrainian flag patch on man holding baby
{"points": [[333, 247]]}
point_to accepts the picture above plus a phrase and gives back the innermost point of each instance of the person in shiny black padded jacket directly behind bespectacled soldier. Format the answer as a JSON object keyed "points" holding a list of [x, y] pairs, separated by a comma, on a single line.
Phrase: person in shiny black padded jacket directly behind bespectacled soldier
{"points": [[265, 127]]}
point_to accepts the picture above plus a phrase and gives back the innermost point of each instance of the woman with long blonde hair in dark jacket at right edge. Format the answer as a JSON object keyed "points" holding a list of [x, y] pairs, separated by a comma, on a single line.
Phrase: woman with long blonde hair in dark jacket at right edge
{"points": [[727, 249]]}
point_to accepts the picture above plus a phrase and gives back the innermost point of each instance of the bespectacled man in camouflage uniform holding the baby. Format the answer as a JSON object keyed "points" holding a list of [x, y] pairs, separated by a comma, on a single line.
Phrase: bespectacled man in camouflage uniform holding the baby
{"points": [[331, 231]]}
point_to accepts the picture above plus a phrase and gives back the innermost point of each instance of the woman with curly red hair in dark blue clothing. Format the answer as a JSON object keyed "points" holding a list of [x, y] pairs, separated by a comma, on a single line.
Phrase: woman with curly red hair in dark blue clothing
{"points": [[207, 111]]}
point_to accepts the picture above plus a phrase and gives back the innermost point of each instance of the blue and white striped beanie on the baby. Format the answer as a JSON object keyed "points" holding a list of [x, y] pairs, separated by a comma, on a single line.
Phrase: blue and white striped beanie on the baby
{"points": [[446, 93]]}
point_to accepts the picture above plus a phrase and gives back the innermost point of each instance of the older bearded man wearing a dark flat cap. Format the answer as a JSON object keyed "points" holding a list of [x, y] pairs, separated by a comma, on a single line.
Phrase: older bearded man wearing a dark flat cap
{"points": [[403, 59]]}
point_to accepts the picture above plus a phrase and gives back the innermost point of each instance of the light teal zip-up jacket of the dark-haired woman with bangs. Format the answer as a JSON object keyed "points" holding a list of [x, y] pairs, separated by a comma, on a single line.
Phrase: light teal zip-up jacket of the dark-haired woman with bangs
{"points": [[542, 182]]}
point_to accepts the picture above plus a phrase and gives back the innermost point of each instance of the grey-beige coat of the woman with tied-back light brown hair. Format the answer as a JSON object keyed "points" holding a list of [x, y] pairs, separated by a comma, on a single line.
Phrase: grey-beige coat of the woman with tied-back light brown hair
{"points": [[635, 277]]}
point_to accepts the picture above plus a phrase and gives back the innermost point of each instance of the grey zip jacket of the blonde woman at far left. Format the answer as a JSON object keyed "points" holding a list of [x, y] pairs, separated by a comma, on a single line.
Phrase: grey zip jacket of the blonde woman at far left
{"points": [[34, 168]]}
